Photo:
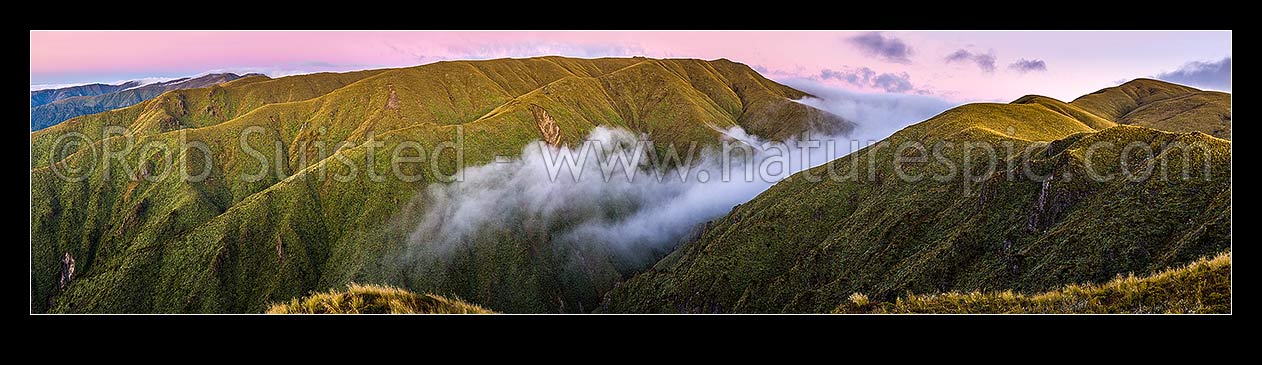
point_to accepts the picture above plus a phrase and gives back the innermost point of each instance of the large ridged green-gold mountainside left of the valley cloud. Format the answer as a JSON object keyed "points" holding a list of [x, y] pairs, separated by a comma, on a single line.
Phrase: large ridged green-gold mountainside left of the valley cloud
{"points": [[238, 242]]}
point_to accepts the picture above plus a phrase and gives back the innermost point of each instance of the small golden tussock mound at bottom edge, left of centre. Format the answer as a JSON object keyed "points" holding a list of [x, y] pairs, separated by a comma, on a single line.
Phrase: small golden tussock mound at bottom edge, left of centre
{"points": [[375, 300]]}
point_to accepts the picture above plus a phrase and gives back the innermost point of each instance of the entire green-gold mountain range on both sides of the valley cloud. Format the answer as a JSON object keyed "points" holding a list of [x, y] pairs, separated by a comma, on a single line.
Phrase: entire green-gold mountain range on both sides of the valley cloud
{"points": [[157, 243]]}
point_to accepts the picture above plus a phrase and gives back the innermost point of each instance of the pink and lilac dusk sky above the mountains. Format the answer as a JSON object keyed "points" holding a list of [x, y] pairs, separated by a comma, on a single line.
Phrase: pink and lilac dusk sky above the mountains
{"points": [[957, 66]]}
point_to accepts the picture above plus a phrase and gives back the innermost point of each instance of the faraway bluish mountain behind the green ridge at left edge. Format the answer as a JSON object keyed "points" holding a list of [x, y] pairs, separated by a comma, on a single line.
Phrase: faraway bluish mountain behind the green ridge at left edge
{"points": [[65, 104]]}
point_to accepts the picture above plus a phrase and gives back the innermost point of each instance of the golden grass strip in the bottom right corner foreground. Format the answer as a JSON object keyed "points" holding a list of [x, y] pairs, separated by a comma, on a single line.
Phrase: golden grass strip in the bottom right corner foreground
{"points": [[1202, 287]]}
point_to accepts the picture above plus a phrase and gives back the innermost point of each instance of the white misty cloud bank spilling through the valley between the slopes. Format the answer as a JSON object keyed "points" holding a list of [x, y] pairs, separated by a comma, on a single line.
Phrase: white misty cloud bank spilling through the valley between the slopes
{"points": [[638, 214]]}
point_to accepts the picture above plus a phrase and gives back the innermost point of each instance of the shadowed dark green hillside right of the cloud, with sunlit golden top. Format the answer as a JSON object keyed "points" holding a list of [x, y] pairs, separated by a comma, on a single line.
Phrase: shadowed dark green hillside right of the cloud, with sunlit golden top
{"points": [[892, 220]]}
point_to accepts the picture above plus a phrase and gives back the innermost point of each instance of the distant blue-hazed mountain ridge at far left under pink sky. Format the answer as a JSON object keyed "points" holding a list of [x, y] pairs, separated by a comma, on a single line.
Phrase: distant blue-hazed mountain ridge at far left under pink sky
{"points": [[64, 109]]}
